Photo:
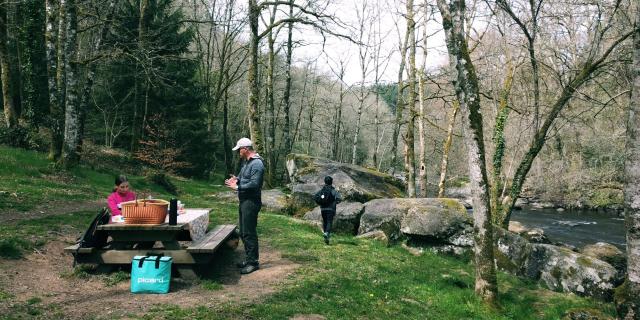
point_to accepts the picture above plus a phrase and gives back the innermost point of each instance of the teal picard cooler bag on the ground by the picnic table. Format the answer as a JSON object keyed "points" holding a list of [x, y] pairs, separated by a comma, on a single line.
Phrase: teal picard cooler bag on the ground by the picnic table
{"points": [[150, 274]]}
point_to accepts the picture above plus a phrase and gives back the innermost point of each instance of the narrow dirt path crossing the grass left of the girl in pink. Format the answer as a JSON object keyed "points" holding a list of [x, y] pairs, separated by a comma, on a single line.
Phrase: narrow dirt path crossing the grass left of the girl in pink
{"points": [[52, 208]]}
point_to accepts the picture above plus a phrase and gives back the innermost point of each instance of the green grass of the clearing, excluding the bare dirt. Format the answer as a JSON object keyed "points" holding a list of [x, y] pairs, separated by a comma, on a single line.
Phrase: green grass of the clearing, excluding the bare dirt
{"points": [[350, 279]]}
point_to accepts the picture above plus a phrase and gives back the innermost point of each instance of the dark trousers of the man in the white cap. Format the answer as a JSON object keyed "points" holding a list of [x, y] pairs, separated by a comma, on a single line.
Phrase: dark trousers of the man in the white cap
{"points": [[248, 221]]}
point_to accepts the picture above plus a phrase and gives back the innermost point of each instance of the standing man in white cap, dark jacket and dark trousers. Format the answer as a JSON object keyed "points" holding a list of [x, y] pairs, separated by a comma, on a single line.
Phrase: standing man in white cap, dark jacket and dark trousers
{"points": [[248, 184]]}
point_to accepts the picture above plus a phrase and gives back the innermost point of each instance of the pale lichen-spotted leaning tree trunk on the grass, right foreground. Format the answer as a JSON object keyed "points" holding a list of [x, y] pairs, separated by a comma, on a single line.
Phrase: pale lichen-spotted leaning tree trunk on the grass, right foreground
{"points": [[467, 92]]}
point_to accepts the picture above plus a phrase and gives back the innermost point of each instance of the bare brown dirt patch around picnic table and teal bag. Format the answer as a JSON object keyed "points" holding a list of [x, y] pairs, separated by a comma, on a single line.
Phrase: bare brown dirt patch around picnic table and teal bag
{"points": [[45, 275]]}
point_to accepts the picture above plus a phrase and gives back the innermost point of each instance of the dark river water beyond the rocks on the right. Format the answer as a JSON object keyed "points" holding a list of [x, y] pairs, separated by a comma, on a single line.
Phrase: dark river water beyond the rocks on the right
{"points": [[576, 228]]}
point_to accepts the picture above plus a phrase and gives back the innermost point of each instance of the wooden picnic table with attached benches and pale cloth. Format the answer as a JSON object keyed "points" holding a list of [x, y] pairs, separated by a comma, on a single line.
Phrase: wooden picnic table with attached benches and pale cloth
{"points": [[191, 226]]}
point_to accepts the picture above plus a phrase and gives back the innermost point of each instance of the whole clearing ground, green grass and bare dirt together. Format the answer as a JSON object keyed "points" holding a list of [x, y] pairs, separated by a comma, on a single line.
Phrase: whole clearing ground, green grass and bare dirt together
{"points": [[350, 279]]}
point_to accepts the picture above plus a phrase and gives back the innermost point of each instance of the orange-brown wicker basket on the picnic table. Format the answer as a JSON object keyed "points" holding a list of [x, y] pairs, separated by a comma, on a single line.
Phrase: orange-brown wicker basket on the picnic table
{"points": [[152, 211]]}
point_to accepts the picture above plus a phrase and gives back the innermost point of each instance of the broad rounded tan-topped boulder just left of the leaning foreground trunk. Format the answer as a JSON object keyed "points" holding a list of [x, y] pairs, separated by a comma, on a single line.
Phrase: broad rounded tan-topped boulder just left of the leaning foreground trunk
{"points": [[427, 216]]}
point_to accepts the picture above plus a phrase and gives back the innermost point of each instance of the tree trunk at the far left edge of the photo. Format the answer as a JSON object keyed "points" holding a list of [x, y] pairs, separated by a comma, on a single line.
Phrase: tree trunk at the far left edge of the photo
{"points": [[10, 114]]}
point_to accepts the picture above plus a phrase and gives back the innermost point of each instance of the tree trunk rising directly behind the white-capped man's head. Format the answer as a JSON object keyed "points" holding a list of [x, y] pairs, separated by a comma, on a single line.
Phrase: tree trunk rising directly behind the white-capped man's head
{"points": [[252, 78]]}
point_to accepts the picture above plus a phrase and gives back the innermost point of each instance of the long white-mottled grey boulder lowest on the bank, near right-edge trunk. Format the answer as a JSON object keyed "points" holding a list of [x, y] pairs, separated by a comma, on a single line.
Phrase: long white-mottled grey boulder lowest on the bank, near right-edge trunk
{"points": [[563, 270]]}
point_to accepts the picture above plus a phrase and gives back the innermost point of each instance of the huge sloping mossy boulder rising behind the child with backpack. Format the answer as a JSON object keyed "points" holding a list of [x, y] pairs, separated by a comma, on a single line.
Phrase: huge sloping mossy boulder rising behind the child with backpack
{"points": [[354, 183]]}
